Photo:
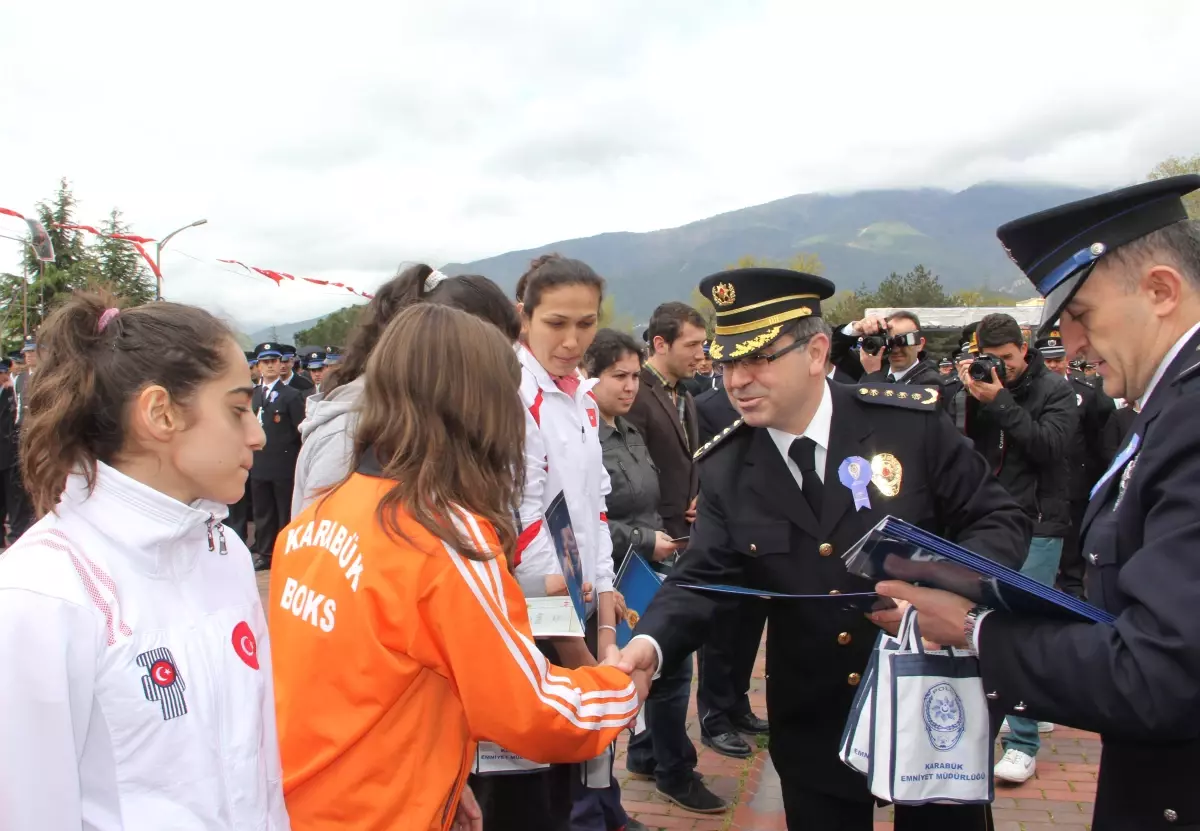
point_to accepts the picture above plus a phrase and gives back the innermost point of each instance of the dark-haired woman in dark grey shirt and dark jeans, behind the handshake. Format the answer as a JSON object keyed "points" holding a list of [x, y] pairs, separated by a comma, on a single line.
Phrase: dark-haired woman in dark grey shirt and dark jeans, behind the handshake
{"points": [[663, 751]]}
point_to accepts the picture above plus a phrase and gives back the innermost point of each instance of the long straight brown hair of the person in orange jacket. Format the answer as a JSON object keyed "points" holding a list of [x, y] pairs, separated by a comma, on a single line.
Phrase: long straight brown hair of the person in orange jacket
{"points": [[442, 414]]}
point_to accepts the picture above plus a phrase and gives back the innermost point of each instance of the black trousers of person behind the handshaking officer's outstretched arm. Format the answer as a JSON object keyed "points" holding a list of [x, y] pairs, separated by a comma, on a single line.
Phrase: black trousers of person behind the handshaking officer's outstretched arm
{"points": [[727, 662]]}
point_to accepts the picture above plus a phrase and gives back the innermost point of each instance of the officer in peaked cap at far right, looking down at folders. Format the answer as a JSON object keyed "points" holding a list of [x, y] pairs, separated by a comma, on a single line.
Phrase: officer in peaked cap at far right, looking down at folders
{"points": [[1121, 273]]}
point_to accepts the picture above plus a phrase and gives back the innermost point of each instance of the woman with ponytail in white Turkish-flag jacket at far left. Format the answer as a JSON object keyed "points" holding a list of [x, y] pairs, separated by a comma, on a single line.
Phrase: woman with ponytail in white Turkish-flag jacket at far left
{"points": [[136, 689]]}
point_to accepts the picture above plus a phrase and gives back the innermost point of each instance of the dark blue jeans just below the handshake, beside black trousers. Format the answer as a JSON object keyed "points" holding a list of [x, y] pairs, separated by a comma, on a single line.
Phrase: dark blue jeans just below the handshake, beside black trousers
{"points": [[664, 749]]}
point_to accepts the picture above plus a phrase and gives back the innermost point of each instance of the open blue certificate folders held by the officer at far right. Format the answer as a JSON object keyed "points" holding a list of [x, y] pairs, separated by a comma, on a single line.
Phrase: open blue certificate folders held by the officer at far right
{"points": [[897, 551]]}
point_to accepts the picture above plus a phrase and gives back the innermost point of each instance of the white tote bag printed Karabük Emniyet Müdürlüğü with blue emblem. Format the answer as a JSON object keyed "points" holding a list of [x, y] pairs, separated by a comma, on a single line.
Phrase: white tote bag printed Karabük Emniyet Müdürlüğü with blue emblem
{"points": [[931, 733]]}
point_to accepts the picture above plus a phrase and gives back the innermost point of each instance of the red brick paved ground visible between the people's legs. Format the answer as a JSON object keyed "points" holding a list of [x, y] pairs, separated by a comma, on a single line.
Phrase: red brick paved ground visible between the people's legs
{"points": [[1059, 799]]}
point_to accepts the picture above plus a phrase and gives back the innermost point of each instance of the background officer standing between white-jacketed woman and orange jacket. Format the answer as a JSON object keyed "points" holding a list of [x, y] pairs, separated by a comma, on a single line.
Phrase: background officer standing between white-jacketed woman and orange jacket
{"points": [[280, 410]]}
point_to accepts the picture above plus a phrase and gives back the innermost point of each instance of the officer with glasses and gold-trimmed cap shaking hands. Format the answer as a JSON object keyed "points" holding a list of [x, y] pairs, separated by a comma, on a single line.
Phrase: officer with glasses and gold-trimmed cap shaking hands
{"points": [[784, 493]]}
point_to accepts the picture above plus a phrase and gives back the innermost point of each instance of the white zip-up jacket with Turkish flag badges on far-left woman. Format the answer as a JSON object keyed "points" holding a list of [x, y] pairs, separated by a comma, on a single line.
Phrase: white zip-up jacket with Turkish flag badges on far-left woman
{"points": [[137, 690]]}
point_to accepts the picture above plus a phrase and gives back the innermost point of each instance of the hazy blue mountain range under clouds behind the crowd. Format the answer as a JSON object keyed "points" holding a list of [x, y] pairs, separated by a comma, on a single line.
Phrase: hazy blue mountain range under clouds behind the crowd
{"points": [[861, 238]]}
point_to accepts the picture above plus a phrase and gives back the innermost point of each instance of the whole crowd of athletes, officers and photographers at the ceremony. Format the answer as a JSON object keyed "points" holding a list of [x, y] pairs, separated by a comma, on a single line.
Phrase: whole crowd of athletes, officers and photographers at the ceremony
{"points": [[400, 492]]}
